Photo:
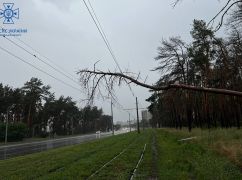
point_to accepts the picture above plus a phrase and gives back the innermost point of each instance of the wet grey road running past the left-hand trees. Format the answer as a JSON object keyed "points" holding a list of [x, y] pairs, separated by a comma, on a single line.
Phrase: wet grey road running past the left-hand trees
{"points": [[9, 151]]}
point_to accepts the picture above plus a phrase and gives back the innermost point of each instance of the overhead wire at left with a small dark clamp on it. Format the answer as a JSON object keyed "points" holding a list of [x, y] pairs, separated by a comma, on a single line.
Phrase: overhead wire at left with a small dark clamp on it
{"points": [[35, 56]]}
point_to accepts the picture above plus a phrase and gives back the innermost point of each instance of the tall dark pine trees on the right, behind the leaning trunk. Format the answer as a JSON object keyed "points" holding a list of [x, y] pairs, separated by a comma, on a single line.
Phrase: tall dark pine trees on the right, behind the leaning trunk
{"points": [[207, 61]]}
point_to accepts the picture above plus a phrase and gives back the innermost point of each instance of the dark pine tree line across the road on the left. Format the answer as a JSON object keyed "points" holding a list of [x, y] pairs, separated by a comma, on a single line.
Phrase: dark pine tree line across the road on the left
{"points": [[37, 108]]}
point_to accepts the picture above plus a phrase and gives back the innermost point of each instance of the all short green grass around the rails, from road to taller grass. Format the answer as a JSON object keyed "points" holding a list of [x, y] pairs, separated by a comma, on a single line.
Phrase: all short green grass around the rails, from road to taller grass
{"points": [[165, 158]]}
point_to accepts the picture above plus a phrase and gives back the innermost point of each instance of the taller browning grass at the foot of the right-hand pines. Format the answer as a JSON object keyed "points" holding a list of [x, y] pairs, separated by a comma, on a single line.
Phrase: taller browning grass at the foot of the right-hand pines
{"points": [[226, 142]]}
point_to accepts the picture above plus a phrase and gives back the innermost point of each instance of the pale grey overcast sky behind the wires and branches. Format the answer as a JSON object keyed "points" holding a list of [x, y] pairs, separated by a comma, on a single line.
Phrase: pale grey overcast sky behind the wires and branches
{"points": [[63, 31]]}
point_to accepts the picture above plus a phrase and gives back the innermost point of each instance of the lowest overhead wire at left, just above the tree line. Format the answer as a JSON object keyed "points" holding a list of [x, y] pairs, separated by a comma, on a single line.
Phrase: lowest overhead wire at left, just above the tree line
{"points": [[33, 66]]}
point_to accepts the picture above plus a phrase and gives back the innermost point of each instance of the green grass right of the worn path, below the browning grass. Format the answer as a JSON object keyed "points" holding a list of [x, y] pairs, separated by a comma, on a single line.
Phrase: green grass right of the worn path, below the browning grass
{"points": [[182, 160]]}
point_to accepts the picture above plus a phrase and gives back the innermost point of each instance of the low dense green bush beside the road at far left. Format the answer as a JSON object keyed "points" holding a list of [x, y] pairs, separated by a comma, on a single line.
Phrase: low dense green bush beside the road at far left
{"points": [[16, 131]]}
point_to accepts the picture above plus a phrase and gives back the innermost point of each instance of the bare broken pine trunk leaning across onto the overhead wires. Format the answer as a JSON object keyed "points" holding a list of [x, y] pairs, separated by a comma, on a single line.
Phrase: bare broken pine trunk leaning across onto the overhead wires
{"points": [[92, 79]]}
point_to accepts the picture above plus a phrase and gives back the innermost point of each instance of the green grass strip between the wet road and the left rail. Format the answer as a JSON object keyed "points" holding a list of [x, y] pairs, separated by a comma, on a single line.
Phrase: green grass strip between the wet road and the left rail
{"points": [[74, 161]]}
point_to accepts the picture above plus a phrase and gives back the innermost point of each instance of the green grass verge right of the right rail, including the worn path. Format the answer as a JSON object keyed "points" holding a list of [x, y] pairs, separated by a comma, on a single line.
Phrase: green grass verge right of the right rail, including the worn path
{"points": [[167, 158]]}
